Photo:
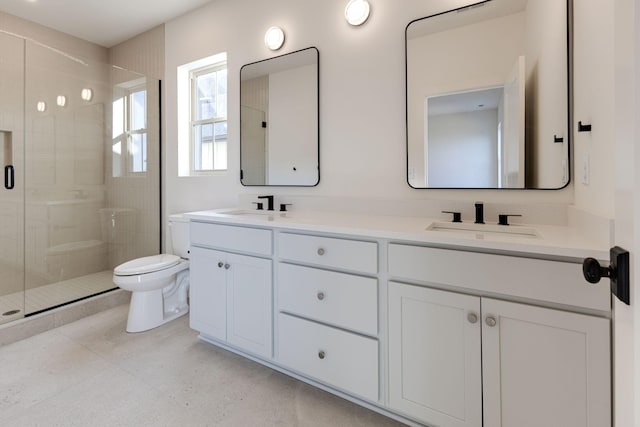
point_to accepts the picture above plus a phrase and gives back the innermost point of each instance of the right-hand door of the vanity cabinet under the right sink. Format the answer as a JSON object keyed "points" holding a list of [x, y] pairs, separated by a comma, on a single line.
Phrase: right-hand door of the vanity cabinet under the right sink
{"points": [[544, 367]]}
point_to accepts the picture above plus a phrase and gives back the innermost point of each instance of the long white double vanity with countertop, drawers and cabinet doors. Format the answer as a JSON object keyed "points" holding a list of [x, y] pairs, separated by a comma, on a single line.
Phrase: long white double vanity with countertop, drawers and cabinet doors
{"points": [[429, 322]]}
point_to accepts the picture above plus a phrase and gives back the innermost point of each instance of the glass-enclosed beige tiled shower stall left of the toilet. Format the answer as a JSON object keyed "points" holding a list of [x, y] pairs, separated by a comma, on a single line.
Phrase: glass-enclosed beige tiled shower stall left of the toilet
{"points": [[80, 153]]}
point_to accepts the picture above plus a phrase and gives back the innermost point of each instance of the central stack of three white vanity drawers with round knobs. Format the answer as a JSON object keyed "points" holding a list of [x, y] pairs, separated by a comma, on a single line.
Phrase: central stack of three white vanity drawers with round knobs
{"points": [[327, 323]]}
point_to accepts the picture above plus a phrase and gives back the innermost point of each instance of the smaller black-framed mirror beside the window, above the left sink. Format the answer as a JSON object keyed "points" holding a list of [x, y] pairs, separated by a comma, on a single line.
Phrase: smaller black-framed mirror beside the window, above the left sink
{"points": [[279, 120]]}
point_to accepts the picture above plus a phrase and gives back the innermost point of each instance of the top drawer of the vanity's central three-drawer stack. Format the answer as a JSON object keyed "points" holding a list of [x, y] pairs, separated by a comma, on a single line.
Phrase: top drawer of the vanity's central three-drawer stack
{"points": [[330, 252]]}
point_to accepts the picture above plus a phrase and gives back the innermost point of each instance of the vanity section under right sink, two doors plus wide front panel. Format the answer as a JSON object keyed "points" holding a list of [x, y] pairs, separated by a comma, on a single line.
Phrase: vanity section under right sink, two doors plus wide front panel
{"points": [[454, 357]]}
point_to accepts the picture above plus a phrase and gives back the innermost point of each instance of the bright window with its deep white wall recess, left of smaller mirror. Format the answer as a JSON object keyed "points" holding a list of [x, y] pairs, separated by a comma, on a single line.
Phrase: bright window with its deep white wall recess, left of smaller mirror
{"points": [[202, 116]]}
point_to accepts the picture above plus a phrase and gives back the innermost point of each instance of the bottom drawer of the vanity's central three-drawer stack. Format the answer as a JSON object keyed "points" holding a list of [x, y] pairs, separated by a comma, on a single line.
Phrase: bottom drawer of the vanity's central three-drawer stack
{"points": [[338, 358]]}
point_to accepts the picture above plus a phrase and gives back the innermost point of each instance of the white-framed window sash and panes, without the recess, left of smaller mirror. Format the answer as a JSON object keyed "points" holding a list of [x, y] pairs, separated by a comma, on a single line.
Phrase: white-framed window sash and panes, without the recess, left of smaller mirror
{"points": [[209, 119]]}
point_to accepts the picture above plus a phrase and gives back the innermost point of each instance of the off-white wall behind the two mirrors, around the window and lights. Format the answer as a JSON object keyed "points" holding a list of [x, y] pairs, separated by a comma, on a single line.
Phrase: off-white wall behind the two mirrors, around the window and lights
{"points": [[362, 99]]}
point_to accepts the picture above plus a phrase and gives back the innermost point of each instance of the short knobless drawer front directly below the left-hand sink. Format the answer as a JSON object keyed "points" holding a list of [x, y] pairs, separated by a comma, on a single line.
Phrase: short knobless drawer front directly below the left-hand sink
{"points": [[229, 237]]}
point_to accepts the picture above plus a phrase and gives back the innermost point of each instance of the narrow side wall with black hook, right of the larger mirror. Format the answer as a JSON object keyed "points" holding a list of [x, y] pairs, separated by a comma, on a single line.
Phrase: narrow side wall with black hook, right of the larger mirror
{"points": [[594, 103]]}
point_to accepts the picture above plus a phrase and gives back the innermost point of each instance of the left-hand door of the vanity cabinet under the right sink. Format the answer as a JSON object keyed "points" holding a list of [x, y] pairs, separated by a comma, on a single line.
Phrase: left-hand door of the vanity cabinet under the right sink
{"points": [[434, 355]]}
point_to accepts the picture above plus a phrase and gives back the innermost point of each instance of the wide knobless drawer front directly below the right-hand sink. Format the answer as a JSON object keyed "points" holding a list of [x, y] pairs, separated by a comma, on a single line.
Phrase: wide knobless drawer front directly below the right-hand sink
{"points": [[550, 281]]}
